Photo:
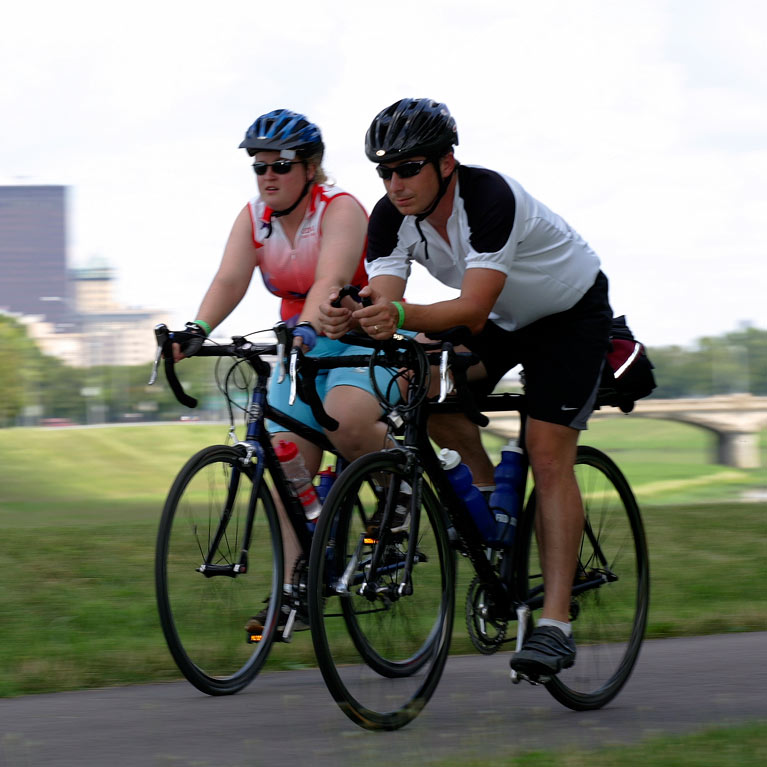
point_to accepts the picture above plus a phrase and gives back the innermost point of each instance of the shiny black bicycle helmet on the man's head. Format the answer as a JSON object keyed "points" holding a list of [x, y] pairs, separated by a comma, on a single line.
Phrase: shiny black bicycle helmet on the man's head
{"points": [[408, 128]]}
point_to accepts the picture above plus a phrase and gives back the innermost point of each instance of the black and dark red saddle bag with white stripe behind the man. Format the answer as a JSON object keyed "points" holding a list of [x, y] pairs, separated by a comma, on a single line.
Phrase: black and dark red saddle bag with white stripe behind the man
{"points": [[628, 371]]}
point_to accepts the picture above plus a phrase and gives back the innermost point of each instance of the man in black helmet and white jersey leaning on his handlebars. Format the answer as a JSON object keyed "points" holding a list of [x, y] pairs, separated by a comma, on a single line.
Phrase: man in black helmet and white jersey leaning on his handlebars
{"points": [[531, 292]]}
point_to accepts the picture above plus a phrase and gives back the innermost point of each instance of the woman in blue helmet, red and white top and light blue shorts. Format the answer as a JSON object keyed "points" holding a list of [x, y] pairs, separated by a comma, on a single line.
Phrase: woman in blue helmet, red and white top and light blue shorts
{"points": [[308, 239]]}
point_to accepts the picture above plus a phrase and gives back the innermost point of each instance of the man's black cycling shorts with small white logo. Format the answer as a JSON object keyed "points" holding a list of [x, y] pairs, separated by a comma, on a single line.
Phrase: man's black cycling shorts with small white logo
{"points": [[561, 356]]}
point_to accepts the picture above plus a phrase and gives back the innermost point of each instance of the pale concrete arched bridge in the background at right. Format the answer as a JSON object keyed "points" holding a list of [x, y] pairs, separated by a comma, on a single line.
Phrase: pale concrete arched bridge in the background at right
{"points": [[735, 420]]}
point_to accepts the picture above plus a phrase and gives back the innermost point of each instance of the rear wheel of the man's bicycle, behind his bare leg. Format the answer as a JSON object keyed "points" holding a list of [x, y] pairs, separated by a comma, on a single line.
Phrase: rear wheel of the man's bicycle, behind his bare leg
{"points": [[608, 621]]}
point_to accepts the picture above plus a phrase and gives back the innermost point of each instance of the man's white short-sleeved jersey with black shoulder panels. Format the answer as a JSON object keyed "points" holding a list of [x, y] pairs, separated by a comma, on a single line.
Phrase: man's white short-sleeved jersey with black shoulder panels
{"points": [[495, 224]]}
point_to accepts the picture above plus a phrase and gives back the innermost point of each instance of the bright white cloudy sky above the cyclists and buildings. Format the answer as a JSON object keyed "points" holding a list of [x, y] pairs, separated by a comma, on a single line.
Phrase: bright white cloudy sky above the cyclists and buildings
{"points": [[643, 124]]}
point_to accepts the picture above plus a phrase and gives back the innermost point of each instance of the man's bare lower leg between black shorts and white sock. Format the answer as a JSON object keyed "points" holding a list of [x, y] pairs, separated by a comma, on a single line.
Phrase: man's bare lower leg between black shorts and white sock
{"points": [[559, 513]]}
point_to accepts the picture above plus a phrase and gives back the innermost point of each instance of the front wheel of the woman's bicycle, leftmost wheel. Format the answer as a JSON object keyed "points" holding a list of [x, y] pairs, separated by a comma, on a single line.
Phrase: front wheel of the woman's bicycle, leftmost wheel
{"points": [[203, 617]]}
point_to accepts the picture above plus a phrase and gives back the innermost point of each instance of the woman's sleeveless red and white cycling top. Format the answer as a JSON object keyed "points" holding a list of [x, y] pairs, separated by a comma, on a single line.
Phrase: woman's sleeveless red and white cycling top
{"points": [[288, 268]]}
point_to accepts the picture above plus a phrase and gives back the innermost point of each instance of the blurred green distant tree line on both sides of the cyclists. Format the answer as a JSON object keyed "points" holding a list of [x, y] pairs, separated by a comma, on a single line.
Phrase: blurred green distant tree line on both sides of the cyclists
{"points": [[36, 387]]}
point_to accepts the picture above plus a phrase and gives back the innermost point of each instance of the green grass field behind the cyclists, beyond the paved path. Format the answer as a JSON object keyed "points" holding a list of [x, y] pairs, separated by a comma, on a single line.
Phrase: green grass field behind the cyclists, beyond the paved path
{"points": [[78, 517]]}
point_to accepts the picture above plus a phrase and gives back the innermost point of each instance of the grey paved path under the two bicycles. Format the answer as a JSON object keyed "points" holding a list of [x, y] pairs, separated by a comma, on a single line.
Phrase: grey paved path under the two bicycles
{"points": [[679, 685]]}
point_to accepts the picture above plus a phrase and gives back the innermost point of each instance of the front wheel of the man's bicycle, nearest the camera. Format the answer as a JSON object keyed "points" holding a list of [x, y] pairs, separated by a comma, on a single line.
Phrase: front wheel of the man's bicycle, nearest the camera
{"points": [[381, 656]]}
